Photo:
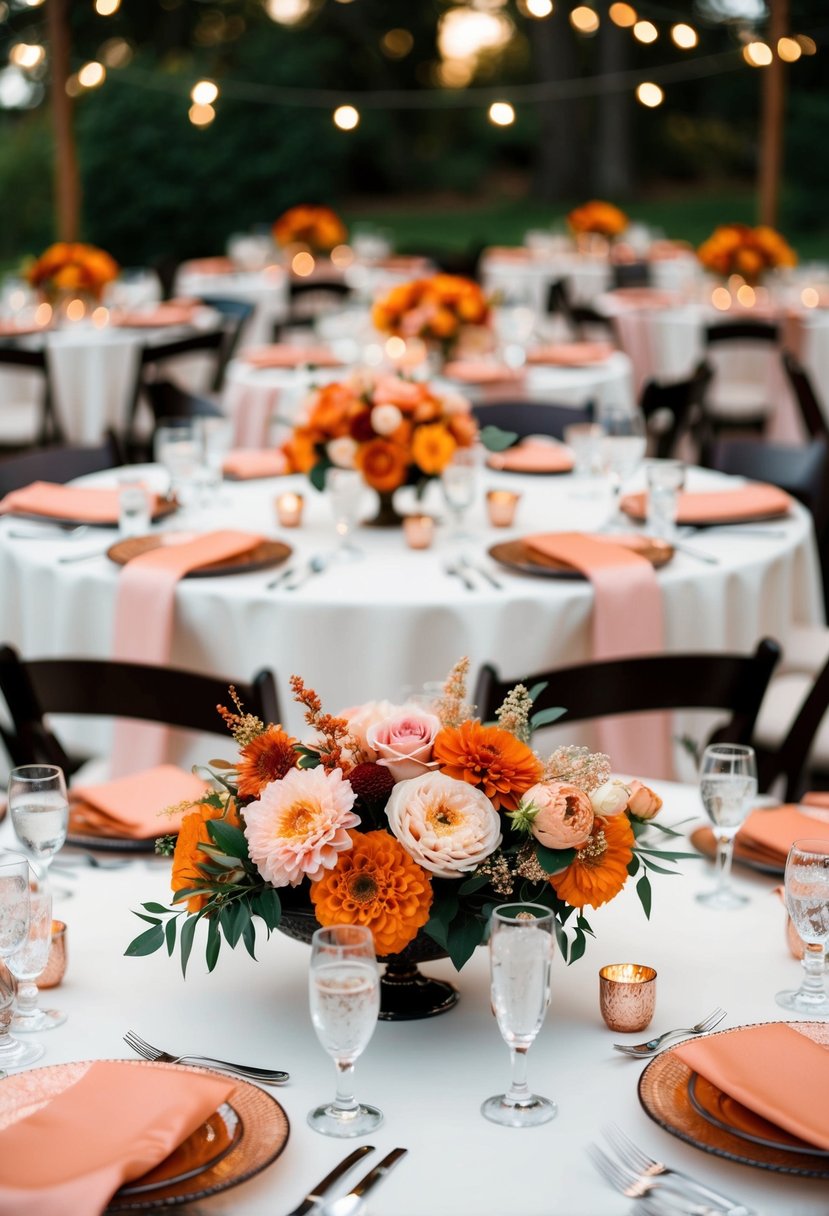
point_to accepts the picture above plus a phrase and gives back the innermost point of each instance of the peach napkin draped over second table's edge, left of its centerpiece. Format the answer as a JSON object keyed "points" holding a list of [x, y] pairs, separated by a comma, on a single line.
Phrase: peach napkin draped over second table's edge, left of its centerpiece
{"points": [[145, 610]]}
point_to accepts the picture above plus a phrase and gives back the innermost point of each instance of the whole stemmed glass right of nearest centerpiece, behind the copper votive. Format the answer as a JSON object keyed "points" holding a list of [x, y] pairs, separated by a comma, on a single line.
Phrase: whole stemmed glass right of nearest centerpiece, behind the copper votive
{"points": [[729, 785]]}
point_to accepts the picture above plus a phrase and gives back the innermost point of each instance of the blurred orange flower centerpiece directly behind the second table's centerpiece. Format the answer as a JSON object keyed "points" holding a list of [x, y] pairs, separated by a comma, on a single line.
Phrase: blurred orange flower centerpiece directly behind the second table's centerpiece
{"points": [[441, 311]]}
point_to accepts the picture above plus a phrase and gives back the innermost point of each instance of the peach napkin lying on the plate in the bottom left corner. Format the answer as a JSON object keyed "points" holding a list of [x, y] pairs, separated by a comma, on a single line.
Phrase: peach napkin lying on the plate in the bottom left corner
{"points": [[111, 1127]]}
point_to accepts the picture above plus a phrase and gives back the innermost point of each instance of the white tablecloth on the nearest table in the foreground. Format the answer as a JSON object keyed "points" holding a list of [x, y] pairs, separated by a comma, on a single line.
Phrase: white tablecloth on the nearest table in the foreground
{"points": [[431, 1077]]}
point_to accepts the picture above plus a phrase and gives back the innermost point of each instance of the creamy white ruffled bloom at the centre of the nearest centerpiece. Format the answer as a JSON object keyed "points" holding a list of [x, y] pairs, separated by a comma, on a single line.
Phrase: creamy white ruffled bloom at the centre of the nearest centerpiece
{"points": [[445, 825]]}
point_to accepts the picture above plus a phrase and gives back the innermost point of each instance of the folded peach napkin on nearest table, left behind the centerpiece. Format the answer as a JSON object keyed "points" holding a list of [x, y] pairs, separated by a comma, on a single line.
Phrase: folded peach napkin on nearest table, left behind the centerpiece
{"points": [[131, 807]]}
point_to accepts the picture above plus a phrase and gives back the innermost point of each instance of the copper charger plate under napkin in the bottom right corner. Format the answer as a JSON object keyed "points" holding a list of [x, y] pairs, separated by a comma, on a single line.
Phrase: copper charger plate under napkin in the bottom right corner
{"points": [[666, 1095]]}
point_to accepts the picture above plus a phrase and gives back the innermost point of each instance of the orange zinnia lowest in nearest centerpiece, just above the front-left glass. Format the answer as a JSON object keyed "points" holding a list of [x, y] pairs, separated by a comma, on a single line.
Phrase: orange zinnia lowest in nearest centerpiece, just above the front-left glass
{"points": [[376, 883]]}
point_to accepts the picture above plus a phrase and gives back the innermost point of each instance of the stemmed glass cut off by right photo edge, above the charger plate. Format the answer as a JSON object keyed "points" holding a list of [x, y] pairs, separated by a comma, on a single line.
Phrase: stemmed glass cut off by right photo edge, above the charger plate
{"points": [[808, 900]]}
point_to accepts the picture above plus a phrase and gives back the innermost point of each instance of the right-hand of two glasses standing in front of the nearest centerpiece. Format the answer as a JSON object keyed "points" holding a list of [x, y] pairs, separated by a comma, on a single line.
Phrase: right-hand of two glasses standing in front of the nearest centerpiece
{"points": [[521, 959]]}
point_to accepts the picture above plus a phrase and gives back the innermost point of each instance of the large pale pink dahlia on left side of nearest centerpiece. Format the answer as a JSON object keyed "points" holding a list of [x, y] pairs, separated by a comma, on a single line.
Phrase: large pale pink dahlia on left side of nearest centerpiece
{"points": [[300, 825]]}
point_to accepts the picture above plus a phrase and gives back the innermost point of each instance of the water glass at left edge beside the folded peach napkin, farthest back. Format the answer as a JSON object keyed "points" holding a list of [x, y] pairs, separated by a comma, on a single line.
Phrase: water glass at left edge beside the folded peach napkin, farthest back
{"points": [[40, 812]]}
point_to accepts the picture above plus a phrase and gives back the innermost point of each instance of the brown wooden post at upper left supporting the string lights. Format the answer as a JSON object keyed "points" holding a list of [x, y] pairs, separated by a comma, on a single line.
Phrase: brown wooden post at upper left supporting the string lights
{"points": [[67, 182]]}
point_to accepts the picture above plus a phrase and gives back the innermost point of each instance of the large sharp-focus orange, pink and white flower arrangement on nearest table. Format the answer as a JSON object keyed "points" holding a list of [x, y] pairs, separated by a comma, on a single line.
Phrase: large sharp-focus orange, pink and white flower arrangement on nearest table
{"points": [[408, 821]]}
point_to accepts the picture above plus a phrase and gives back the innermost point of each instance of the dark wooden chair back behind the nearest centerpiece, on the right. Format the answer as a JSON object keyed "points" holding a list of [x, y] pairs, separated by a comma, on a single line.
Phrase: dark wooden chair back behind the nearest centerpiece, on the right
{"points": [[734, 683]]}
